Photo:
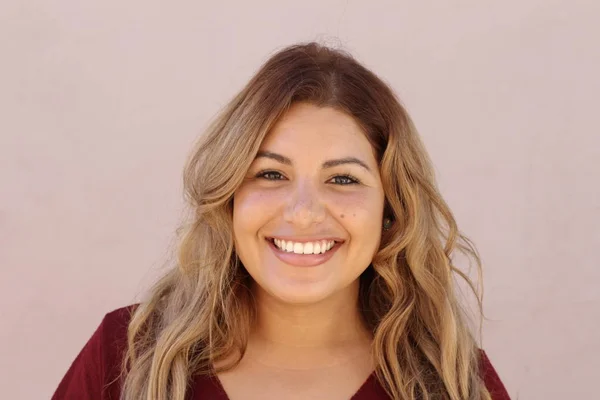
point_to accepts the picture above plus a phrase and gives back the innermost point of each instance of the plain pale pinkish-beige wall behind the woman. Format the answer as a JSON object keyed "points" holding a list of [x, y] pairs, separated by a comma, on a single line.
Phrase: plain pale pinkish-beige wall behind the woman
{"points": [[101, 100]]}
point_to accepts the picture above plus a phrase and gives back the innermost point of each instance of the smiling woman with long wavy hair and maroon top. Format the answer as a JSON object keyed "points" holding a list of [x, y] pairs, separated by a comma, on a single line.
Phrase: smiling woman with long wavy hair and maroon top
{"points": [[317, 264]]}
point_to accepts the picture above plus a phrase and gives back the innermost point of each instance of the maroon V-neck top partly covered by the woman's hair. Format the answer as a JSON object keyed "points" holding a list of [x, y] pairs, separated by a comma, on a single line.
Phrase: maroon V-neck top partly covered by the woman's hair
{"points": [[93, 374]]}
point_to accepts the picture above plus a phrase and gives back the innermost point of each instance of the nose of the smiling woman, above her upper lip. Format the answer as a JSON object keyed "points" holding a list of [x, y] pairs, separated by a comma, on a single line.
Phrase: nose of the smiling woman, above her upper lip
{"points": [[305, 207]]}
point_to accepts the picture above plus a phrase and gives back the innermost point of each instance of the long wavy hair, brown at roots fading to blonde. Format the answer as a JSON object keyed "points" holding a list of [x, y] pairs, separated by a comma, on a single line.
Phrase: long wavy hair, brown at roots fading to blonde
{"points": [[200, 313]]}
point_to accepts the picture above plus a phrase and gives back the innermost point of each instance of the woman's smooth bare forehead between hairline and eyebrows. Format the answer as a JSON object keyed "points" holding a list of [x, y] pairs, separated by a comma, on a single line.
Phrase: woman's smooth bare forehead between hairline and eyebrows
{"points": [[318, 129]]}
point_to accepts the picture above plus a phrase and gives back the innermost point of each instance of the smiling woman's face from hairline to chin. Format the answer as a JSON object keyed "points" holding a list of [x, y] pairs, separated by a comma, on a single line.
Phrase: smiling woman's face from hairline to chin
{"points": [[308, 218]]}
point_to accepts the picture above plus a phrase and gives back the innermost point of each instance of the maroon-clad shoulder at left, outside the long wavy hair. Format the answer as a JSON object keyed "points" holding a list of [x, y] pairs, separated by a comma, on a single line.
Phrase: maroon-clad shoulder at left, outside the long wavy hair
{"points": [[95, 372]]}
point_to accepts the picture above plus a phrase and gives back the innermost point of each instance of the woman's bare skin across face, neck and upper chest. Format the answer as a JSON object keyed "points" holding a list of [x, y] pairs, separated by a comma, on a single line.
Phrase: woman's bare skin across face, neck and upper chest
{"points": [[315, 180]]}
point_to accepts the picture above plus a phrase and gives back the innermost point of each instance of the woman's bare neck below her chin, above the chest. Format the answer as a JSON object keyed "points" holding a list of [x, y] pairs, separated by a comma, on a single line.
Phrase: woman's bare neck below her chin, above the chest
{"points": [[327, 332]]}
